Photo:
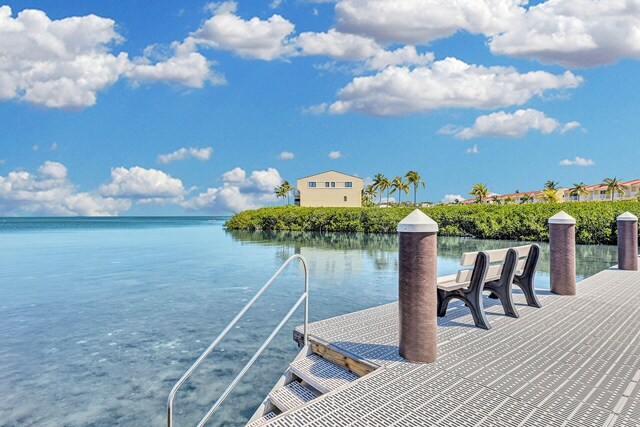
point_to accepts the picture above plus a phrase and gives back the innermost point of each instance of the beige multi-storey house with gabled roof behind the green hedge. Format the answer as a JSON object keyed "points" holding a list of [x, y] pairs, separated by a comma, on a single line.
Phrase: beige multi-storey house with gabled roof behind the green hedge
{"points": [[329, 189]]}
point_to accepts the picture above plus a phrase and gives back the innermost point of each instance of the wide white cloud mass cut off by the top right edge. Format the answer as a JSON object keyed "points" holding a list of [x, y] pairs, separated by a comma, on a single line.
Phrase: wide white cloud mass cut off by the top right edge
{"points": [[573, 33]]}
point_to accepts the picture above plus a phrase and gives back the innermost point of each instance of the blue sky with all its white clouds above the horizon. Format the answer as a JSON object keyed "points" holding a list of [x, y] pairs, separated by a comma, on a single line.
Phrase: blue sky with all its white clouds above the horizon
{"points": [[196, 108]]}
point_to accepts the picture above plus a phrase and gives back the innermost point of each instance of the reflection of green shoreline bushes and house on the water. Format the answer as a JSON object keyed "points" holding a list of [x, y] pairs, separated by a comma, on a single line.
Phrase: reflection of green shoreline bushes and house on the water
{"points": [[382, 249]]}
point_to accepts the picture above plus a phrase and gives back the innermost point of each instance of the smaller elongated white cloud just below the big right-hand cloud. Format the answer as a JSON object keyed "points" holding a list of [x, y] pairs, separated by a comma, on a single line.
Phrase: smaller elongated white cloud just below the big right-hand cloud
{"points": [[515, 124]]}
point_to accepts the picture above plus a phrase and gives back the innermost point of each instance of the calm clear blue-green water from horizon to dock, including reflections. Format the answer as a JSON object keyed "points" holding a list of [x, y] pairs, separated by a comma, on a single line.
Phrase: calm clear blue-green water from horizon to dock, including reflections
{"points": [[99, 317]]}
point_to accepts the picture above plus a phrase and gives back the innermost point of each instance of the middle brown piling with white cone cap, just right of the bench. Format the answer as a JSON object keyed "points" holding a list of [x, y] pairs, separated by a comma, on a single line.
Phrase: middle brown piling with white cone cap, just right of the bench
{"points": [[562, 243]]}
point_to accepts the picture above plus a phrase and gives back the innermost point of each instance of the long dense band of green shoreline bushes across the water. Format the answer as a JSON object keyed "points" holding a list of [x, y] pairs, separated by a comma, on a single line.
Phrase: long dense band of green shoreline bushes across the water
{"points": [[596, 221]]}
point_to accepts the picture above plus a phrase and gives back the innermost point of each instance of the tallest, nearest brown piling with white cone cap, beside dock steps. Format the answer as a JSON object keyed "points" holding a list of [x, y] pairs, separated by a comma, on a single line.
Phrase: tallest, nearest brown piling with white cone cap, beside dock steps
{"points": [[417, 287]]}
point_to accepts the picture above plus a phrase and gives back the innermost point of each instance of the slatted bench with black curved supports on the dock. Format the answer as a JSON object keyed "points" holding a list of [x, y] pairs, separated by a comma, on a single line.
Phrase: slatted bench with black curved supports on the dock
{"points": [[494, 271]]}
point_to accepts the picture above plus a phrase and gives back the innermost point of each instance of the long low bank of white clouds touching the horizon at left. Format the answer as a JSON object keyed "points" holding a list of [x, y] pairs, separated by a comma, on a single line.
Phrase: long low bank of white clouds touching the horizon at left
{"points": [[48, 191]]}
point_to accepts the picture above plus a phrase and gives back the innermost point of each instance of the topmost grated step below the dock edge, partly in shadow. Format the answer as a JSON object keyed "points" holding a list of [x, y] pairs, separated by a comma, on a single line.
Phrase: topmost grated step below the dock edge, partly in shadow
{"points": [[321, 374]]}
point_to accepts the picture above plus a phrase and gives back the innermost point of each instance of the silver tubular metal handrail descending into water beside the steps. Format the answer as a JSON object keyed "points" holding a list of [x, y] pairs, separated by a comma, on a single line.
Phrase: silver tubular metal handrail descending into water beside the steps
{"points": [[303, 298]]}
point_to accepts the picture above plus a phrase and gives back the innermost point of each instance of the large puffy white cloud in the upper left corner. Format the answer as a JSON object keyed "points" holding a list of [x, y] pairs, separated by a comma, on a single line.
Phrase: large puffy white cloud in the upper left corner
{"points": [[57, 63]]}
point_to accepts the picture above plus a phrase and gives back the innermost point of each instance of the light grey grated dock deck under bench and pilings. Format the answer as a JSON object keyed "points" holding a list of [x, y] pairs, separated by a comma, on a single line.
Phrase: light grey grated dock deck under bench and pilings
{"points": [[574, 362]]}
